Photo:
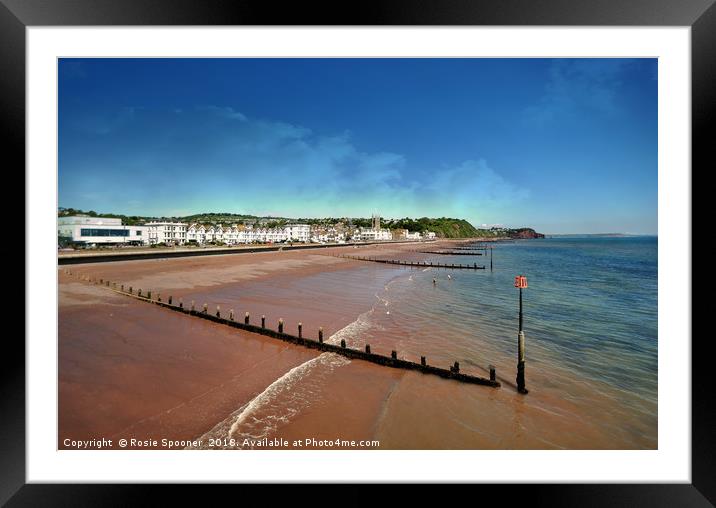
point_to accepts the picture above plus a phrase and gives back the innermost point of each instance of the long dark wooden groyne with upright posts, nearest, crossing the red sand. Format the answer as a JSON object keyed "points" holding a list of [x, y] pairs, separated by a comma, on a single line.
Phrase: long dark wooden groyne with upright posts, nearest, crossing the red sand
{"points": [[393, 361]]}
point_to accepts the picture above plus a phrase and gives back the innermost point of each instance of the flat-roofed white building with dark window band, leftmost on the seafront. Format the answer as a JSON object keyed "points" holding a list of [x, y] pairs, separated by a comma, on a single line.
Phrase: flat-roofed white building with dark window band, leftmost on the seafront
{"points": [[86, 230]]}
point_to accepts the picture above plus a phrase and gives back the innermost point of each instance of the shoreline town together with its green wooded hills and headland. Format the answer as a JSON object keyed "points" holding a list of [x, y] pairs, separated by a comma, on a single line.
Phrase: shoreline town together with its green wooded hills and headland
{"points": [[85, 230]]}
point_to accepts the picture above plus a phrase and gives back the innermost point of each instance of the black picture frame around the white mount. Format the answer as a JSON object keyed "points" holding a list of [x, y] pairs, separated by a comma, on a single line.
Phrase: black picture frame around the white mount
{"points": [[700, 15]]}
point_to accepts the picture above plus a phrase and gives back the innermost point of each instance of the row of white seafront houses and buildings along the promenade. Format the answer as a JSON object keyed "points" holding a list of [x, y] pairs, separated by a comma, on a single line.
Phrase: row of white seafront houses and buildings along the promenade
{"points": [[86, 230]]}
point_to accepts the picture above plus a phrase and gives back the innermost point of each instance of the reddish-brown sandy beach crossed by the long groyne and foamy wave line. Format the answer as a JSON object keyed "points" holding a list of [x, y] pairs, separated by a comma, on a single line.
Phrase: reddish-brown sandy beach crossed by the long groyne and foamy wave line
{"points": [[132, 370]]}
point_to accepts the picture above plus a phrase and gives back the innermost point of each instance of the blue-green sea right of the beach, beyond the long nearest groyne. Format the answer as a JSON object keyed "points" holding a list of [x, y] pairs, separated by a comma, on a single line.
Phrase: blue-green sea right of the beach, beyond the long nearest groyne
{"points": [[590, 322]]}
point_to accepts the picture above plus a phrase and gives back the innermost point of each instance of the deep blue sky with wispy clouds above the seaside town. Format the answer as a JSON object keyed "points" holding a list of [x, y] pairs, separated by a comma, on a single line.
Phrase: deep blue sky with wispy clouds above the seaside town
{"points": [[564, 146]]}
